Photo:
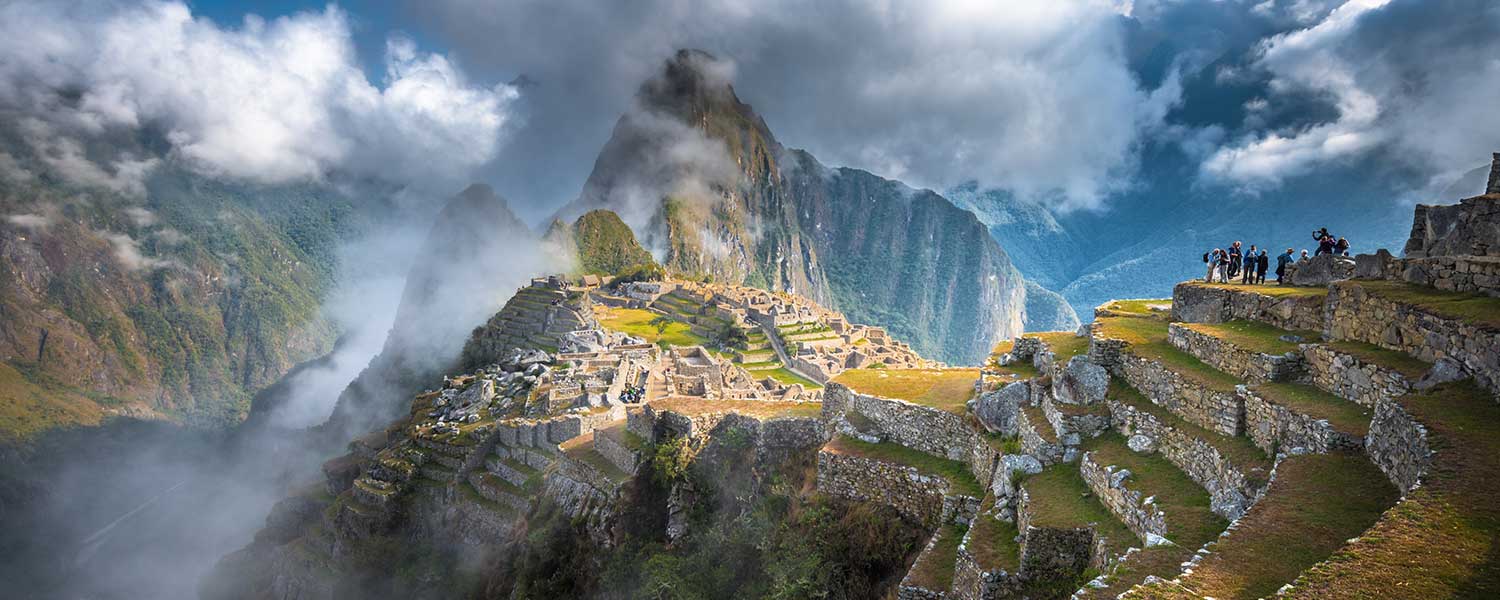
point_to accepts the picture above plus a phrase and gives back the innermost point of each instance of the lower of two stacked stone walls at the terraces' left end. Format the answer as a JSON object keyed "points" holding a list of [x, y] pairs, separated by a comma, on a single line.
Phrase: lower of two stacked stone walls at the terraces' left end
{"points": [[913, 494]]}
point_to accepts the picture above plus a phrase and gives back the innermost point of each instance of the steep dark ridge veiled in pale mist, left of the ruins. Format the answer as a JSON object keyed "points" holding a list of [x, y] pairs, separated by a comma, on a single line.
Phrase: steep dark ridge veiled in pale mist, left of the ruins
{"points": [[475, 257]]}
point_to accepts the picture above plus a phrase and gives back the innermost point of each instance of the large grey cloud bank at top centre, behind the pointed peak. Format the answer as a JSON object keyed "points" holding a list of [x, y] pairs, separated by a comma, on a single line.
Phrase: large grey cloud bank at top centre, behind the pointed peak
{"points": [[1031, 97]]}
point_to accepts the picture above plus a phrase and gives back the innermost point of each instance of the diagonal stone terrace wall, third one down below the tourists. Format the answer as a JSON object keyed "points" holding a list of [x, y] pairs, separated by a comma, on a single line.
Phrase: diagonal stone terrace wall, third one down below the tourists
{"points": [[1223, 412]]}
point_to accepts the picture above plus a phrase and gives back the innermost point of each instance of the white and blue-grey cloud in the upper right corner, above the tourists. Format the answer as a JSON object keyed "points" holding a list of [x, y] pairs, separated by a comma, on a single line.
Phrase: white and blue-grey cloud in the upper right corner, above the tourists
{"points": [[1409, 77]]}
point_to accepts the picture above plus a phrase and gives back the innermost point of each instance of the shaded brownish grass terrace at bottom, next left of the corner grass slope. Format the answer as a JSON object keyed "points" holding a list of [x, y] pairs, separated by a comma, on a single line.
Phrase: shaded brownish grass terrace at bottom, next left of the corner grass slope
{"points": [[1316, 503]]}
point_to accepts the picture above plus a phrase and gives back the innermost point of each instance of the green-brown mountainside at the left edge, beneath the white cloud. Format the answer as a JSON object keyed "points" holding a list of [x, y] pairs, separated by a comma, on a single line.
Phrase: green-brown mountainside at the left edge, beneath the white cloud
{"points": [[179, 305]]}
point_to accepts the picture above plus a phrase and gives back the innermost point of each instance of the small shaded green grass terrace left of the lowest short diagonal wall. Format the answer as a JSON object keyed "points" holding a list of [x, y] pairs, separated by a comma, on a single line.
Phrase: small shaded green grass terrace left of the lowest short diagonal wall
{"points": [[1060, 499]]}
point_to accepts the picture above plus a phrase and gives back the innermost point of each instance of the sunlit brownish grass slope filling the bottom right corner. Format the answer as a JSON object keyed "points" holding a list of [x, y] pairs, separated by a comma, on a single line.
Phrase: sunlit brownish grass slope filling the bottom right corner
{"points": [[1441, 541]]}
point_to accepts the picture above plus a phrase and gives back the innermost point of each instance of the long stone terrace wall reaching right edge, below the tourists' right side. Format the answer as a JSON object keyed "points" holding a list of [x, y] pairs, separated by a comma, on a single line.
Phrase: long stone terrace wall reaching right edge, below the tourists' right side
{"points": [[1363, 317]]}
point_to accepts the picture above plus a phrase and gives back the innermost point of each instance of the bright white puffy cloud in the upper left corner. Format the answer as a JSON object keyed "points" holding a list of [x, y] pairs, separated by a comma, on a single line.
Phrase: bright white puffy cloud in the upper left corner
{"points": [[268, 101]]}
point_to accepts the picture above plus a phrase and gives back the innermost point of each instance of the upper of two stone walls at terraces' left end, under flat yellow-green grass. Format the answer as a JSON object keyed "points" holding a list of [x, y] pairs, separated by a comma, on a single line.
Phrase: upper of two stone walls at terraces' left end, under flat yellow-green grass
{"points": [[916, 427]]}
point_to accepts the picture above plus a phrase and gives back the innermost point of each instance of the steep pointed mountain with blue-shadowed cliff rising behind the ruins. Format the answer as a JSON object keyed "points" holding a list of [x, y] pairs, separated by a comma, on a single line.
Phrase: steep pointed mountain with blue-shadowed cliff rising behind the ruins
{"points": [[710, 191]]}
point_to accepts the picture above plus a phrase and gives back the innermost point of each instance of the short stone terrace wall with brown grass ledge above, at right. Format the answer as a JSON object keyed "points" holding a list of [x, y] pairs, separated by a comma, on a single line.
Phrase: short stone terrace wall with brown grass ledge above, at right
{"points": [[1304, 419]]}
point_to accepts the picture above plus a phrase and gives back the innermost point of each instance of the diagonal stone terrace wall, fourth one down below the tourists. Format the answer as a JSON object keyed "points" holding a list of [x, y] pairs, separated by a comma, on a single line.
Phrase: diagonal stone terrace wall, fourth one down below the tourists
{"points": [[1232, 469]]}
